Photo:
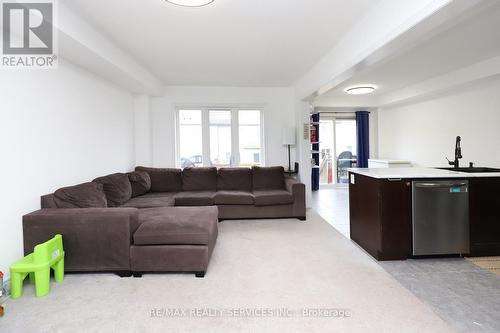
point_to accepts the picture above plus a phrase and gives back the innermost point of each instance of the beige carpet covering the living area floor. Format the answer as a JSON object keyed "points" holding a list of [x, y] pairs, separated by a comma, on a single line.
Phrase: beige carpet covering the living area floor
{"points": [[257, 266]]}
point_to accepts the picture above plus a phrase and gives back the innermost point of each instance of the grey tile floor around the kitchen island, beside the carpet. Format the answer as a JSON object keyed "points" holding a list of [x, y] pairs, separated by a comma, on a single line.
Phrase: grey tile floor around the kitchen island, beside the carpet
{"points": [[464, 295]]}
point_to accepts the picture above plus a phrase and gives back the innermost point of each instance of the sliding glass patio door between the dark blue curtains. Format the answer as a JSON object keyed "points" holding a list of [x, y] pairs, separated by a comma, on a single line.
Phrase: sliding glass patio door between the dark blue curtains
{"points": [[337, 148]]}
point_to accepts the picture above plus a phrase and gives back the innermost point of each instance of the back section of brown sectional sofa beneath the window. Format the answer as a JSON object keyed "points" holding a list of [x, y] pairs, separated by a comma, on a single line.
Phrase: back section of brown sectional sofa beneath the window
{"points": [[237, 192]]}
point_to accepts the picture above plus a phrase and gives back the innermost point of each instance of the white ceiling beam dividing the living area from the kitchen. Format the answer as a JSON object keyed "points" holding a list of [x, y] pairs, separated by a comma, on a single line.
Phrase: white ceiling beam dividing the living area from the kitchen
{"points": [[390, 29]]}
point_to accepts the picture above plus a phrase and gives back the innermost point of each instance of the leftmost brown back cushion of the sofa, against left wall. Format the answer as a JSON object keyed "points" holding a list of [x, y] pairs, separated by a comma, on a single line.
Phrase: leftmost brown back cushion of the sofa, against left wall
{"points": [[86, 195]]}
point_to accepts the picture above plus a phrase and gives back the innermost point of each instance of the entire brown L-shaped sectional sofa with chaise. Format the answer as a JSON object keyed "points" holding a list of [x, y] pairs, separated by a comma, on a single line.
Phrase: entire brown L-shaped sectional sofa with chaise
{"points": [[158, 220]]}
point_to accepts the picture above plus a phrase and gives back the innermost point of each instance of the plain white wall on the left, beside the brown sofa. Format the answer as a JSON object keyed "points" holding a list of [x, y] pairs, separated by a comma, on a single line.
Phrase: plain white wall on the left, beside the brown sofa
{"points": [[58, 127]]}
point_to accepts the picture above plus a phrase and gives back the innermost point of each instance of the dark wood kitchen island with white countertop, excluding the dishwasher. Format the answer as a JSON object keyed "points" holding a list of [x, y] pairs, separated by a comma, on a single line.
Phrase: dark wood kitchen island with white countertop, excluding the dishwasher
{"points": [[380, 209]]}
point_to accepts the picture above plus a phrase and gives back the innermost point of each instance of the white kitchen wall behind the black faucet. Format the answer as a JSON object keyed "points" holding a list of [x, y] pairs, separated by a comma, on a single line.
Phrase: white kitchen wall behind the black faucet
{"points": [[425, 132]]}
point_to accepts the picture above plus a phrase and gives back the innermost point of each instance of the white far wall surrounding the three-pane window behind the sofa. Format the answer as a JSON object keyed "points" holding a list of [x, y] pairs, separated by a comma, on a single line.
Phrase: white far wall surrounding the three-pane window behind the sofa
{"points": [[277, 107]]}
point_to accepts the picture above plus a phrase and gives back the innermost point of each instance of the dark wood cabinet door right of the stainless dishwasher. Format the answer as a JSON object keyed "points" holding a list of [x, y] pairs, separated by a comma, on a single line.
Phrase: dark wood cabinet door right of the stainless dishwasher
{"points": [[484, 206]]}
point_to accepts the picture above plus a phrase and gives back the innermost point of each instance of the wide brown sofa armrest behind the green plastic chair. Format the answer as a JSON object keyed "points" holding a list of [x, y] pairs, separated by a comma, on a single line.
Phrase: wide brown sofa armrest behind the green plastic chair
{"points": [[94, 239]]}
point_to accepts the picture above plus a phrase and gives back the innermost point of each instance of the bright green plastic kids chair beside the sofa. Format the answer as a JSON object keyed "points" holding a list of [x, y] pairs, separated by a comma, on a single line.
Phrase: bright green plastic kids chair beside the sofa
{"points": [[38, 264]]}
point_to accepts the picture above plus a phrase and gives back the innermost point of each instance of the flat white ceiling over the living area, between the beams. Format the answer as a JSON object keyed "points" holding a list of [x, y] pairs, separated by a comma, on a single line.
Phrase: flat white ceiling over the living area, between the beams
{"points": [[228, 43]]}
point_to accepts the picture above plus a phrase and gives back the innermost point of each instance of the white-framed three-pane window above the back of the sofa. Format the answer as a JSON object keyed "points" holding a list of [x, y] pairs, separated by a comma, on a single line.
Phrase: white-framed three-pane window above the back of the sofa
{"points": [[219, 137]]}
